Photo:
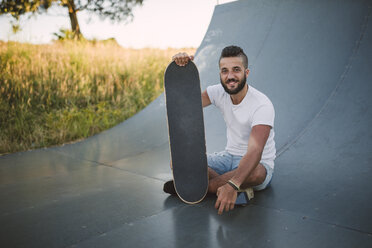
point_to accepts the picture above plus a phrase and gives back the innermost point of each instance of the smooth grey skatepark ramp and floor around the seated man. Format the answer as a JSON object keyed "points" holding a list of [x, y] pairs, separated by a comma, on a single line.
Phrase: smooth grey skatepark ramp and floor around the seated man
{"points": [[313, 59]]}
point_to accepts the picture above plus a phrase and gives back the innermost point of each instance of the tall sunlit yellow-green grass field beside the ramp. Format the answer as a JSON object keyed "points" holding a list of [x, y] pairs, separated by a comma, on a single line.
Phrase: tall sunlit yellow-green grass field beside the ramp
{"points": [[63, 92]]}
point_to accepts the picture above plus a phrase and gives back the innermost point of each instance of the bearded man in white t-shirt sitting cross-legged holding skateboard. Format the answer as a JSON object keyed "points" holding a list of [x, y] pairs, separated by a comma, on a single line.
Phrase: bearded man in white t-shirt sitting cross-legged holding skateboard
{"points": [[248, 159]]}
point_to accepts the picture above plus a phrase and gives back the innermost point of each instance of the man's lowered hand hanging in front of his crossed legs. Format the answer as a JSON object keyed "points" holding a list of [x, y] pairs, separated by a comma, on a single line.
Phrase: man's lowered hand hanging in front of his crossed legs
{"points": [[226, 198]]}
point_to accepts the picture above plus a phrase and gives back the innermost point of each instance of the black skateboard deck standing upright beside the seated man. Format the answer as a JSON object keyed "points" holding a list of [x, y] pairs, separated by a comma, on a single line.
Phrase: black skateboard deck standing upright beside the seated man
{"points": [[186, 132]]}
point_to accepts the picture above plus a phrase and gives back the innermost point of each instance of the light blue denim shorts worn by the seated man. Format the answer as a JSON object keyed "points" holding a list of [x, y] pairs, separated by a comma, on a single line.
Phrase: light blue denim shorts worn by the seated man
{"points": [[222, 162]]}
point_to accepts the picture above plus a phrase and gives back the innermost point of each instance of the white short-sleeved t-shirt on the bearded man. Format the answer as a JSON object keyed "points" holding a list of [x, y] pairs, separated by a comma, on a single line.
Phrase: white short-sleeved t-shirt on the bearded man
{"points": [[255, 109]]}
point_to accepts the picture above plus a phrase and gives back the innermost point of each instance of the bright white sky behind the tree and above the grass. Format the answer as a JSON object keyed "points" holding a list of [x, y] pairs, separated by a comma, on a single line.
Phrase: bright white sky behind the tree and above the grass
{"points": [[157, 24]]}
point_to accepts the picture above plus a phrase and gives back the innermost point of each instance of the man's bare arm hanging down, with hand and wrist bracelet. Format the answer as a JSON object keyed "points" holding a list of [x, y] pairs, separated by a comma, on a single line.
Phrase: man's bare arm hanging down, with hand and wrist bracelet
{"points": [[257, 140]]}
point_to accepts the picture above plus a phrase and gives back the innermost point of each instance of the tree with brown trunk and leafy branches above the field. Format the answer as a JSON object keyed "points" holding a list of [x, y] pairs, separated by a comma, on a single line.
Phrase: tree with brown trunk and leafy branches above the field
{"points": [[116, 10]]}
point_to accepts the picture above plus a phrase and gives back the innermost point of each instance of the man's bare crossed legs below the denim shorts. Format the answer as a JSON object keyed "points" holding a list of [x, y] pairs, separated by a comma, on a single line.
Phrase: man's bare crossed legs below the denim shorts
{"points": [[257, 177]]}
